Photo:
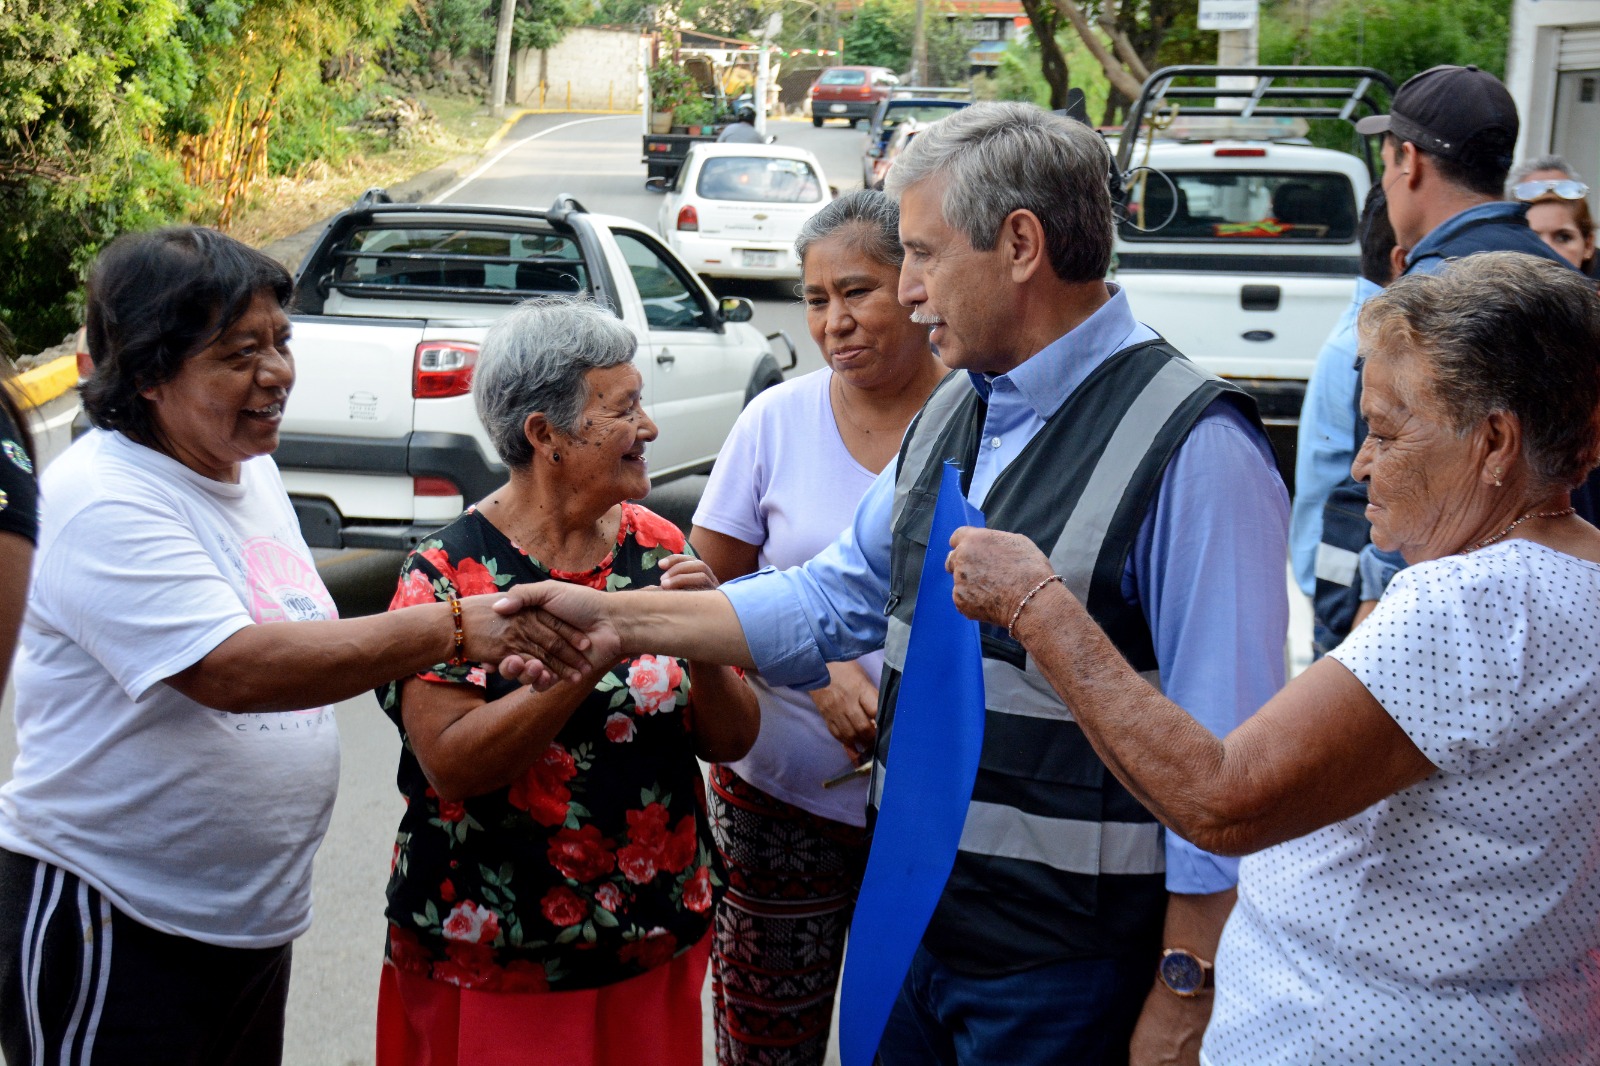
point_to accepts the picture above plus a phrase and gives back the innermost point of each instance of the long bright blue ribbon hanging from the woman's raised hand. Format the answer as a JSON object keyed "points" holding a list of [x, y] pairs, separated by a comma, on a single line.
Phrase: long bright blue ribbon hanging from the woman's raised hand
{"points": [[937, 735]]}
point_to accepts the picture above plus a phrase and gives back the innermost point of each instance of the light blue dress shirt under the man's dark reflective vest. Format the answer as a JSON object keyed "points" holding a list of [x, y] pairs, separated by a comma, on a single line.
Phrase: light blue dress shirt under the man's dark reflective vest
{"points": [[1207, 567]]}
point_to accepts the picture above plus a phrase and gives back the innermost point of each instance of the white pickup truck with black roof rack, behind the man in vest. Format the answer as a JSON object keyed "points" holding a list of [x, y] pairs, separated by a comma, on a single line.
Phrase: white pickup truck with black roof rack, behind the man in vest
{"points": [[1239, 247]]}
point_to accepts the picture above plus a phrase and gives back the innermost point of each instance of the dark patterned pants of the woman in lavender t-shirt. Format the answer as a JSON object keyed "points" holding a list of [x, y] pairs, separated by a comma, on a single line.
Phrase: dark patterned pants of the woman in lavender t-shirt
{"points": [[780, 929]]}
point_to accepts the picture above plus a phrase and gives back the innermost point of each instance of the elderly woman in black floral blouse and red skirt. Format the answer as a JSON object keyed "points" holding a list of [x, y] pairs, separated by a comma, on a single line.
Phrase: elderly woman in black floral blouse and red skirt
{"points": [[554, 872]]}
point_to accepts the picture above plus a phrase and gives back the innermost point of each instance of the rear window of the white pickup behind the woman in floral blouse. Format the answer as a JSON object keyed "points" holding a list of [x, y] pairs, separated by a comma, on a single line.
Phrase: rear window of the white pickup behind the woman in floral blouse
{"points": [[494, 263]]}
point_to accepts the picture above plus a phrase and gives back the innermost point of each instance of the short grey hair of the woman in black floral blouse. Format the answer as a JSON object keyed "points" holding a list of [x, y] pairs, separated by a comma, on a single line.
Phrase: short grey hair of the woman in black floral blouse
{"points": [[535, 359]]}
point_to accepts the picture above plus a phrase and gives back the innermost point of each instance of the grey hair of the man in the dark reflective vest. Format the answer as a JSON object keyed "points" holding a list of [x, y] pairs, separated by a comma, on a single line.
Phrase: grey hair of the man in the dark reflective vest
{"points": [[1001, 158]]}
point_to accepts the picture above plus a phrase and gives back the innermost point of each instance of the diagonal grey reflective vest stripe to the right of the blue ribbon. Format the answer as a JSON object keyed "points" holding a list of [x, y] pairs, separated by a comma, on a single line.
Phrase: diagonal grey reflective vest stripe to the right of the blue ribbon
{"points": [[1081, 540]]}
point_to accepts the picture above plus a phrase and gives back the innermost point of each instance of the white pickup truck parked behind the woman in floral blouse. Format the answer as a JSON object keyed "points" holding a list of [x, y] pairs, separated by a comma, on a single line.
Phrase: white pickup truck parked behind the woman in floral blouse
{"points": [[382, 443]]}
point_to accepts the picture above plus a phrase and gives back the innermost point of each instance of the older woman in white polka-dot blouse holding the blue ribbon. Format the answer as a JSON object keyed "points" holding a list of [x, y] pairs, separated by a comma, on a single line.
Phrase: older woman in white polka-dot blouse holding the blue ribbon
{"points": [[1420, 809]]}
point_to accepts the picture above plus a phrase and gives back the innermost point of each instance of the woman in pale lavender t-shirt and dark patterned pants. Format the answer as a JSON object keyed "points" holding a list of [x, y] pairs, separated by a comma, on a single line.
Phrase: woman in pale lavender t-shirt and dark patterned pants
{"points": [[786, 484]]}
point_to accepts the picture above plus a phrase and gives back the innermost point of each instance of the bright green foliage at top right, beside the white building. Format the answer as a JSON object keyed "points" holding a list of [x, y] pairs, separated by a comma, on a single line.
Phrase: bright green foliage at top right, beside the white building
{"points": [[1399, 38]]}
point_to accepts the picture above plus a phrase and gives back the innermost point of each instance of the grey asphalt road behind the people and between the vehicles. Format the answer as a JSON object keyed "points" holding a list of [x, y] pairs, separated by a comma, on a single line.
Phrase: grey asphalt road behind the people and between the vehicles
{"points": [[335, 987]]}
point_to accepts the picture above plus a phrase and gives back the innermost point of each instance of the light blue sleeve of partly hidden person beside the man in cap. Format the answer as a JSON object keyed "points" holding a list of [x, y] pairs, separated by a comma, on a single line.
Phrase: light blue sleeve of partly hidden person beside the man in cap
{"points": [[1327, 436]]}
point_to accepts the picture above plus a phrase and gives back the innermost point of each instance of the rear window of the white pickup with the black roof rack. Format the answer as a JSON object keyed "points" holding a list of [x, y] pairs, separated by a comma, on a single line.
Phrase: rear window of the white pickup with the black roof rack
{"points": [[1242, 207]]}
